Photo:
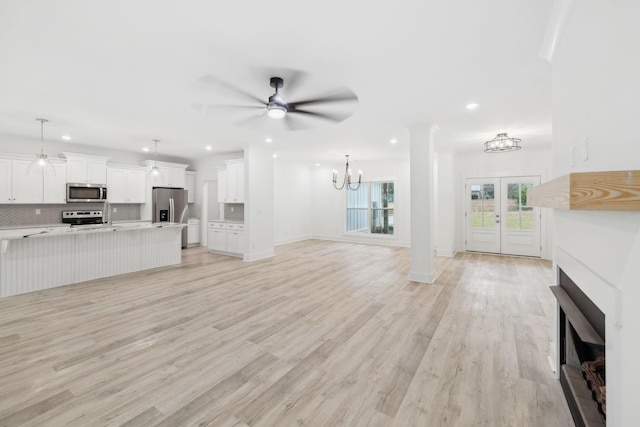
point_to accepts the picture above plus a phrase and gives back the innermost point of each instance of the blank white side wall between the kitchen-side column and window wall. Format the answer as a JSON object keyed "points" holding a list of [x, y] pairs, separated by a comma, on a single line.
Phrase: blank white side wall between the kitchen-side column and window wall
{"points": [[292, 201]]}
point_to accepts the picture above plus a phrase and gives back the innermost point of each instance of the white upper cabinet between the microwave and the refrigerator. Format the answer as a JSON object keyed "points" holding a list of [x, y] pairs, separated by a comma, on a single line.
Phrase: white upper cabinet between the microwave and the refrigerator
{"points": [[126, 184]]}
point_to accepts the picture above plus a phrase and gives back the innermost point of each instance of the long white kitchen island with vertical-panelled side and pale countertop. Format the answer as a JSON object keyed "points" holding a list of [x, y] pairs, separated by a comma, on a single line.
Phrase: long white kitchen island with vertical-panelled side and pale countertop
{"points": [[33, 259]]}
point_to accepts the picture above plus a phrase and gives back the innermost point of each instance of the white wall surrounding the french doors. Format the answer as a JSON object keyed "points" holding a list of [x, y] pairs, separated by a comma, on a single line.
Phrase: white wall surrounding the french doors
{"points": [[527, 161]]}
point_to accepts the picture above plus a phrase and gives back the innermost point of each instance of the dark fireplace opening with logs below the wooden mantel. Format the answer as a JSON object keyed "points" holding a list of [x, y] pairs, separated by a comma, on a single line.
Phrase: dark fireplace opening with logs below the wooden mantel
{"points": [[582, 353]]}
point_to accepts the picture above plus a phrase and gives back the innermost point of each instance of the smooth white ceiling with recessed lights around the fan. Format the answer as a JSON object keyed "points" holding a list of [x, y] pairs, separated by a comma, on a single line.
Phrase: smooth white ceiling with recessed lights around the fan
{"points": [[121, 73]]}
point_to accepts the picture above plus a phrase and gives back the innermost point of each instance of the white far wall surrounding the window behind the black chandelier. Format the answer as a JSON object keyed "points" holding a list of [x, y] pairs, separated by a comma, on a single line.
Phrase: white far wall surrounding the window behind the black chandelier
{"points": [[328, 205]]}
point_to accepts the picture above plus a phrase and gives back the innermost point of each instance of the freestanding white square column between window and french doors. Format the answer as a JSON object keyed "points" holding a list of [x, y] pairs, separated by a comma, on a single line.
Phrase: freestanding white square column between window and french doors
{"points": [[422, 202]]}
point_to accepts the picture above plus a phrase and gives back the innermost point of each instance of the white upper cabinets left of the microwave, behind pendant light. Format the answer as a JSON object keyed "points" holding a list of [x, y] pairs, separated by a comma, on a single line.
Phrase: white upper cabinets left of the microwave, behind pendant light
{"points": [[17, 186]]}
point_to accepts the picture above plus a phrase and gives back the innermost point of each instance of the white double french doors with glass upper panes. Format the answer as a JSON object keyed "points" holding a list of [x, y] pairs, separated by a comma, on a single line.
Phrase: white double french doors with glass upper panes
{"points": [[498, 218]]}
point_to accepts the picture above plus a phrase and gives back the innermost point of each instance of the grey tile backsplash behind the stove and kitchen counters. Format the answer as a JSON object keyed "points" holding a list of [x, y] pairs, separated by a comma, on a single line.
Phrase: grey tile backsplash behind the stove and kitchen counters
{"points": [[17, 215]]}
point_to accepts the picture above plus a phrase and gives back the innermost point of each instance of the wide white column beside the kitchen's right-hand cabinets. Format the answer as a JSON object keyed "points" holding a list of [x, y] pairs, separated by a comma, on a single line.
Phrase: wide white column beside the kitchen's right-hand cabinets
{"points": [[259, 212]]}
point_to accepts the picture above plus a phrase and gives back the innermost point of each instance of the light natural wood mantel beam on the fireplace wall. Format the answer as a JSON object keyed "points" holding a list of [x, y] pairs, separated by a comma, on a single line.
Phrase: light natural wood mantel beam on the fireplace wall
{"points": [[612, 190]]}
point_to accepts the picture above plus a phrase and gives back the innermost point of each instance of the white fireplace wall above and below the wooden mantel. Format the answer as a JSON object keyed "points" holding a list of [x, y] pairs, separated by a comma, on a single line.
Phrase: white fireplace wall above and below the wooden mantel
{"points": [[596, 93]]}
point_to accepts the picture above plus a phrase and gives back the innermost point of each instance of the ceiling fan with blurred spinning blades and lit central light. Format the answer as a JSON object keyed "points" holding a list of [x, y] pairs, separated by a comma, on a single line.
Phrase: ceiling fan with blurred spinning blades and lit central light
{"points": [[276, 106]]}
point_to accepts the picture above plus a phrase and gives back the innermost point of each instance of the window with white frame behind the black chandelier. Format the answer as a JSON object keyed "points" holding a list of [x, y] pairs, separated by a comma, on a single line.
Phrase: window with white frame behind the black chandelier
{"points": [[370, 208]]}
